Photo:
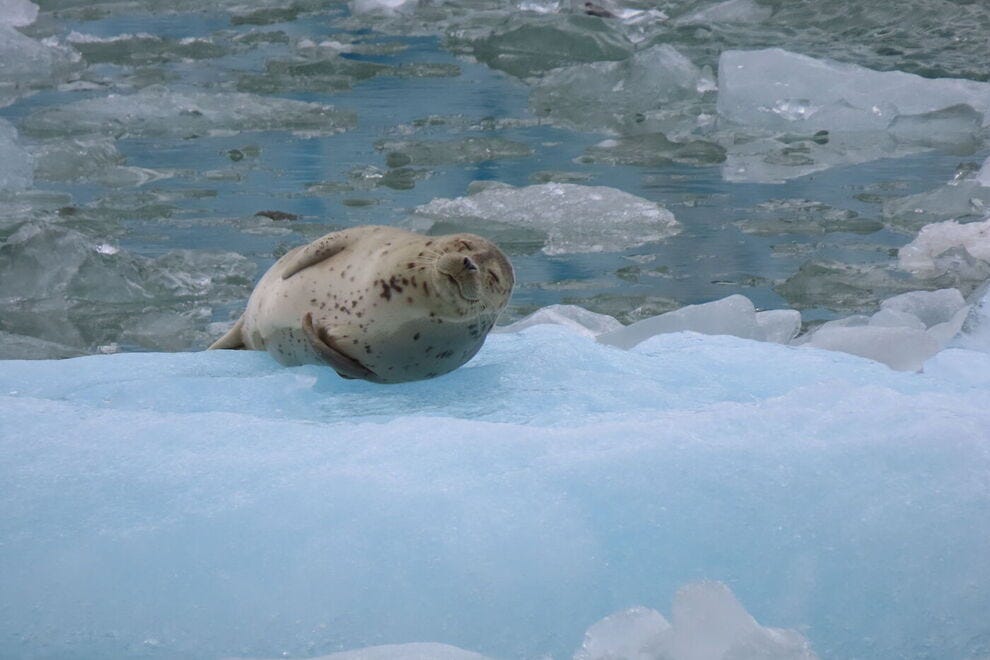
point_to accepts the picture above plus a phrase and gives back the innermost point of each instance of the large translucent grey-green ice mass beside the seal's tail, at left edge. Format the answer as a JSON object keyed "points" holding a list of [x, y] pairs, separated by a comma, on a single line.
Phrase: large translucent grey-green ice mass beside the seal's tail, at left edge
{"points": [[63, 286]]}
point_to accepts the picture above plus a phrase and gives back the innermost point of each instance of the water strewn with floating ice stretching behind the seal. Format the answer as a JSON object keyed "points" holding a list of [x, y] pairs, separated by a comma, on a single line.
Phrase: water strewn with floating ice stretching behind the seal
{"points": [[161, 207]]}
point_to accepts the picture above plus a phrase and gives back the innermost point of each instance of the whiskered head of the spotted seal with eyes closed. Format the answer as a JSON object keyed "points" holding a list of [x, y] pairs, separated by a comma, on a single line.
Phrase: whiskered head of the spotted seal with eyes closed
{"points": [[473, 274]]}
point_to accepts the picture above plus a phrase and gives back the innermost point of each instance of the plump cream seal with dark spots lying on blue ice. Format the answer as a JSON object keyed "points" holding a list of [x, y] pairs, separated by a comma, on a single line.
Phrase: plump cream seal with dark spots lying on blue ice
{"points": [[377, 303]]}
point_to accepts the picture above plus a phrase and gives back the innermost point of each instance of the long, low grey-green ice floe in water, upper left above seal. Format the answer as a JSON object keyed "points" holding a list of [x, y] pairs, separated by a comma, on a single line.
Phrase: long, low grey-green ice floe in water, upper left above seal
{"points": [[160, 111]]}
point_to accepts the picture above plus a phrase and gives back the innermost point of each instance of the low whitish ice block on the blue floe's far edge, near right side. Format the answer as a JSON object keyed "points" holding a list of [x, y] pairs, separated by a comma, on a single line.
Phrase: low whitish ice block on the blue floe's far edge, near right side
{"points": [[899, 347]]}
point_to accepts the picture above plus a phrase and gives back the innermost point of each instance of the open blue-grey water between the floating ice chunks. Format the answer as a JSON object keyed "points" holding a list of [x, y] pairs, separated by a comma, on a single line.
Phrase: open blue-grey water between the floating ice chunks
{"points": [[203, 190]]}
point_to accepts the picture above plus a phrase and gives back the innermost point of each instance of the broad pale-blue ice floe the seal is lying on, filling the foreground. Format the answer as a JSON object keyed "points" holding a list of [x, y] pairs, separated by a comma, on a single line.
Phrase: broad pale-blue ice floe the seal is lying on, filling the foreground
{"points": [[216, 504]]}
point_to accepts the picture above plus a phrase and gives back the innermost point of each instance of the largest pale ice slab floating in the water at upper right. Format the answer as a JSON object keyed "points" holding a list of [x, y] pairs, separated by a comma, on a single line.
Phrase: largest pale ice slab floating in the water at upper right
{"points": [[801, 114]]}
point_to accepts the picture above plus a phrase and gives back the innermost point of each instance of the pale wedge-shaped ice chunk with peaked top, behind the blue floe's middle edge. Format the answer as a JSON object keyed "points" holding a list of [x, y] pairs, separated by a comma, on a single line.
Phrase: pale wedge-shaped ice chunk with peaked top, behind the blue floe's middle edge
{"points": [[734, 315]]}
